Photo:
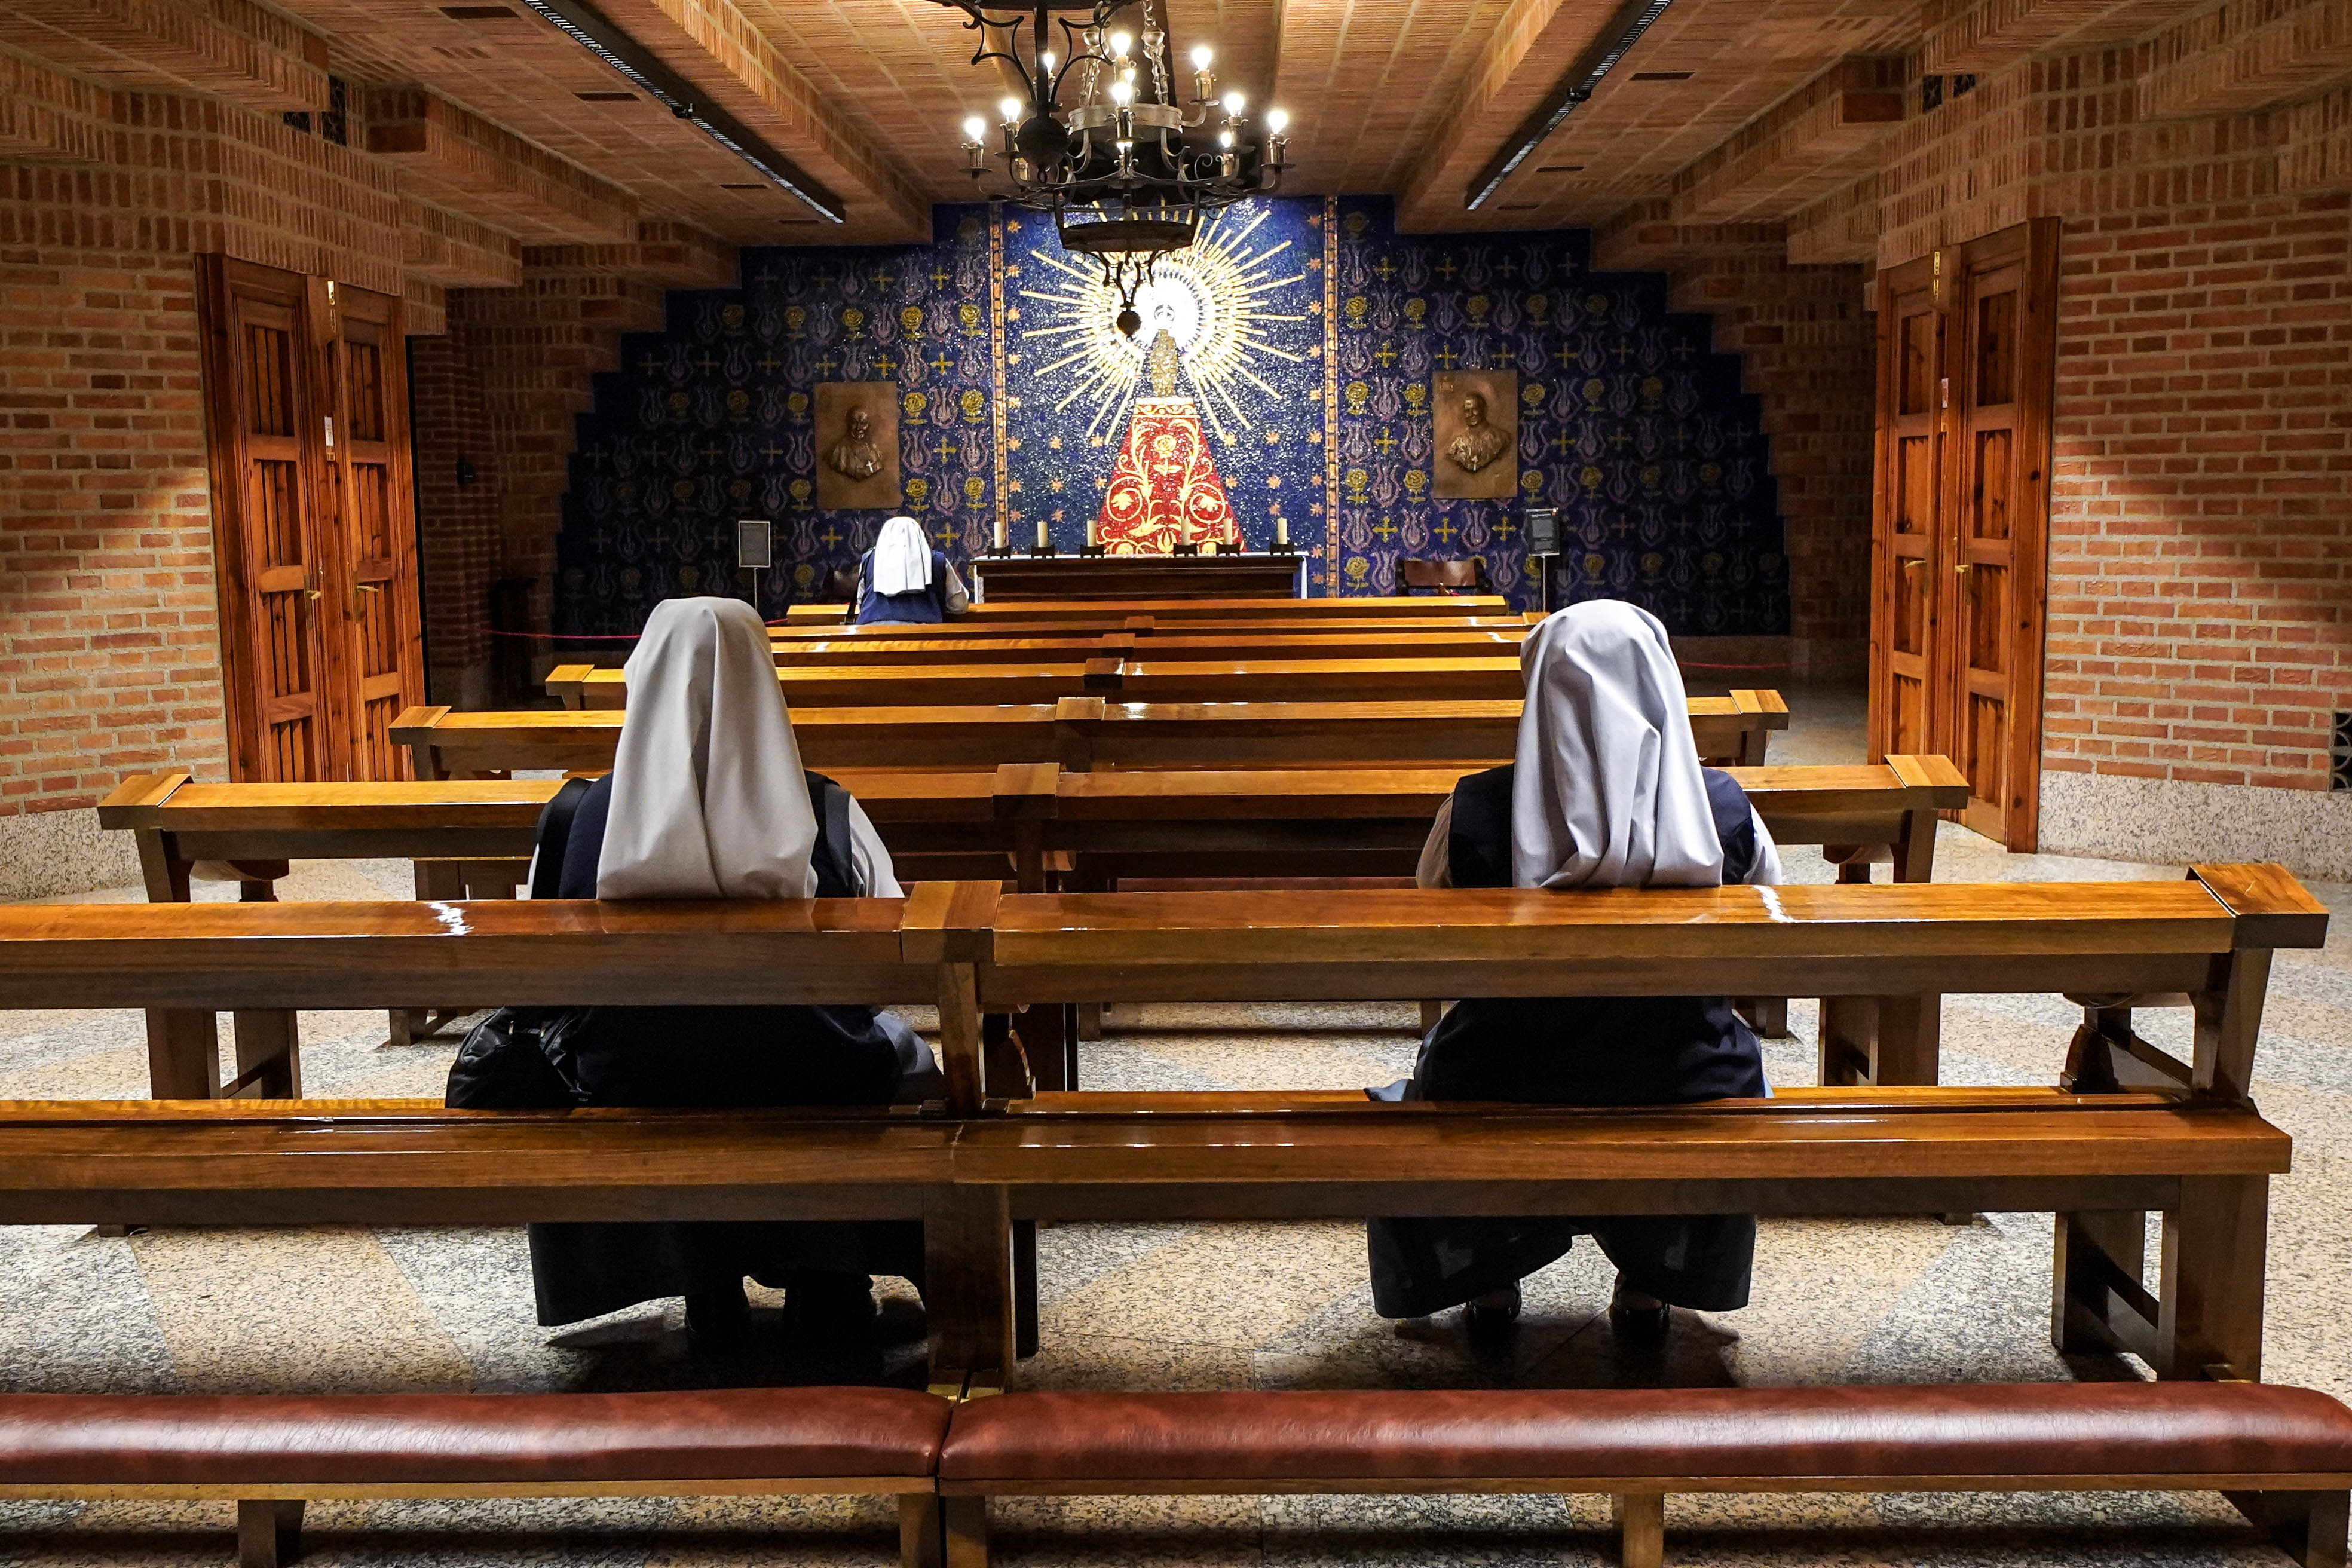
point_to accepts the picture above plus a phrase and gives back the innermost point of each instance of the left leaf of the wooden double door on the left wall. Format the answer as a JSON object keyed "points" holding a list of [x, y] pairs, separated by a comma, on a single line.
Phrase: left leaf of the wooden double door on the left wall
{"points": [[267, 532]]}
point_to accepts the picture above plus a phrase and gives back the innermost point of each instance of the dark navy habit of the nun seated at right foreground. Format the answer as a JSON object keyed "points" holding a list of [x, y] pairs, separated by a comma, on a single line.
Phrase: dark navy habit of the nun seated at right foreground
{"points": [[1575, 1052]]}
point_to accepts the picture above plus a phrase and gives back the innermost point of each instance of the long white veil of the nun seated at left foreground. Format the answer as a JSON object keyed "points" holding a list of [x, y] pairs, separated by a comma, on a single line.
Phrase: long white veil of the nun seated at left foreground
{"points": [[707, 789]]}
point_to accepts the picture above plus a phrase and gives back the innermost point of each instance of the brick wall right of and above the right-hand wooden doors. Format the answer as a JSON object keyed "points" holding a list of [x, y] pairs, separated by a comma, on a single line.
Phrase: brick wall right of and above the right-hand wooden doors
{"points": [[2200, 617]]}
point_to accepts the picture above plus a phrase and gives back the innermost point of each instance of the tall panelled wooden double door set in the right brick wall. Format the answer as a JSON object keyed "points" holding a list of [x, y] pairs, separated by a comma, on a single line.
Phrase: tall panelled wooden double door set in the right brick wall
{"points": [[1960, 544]]}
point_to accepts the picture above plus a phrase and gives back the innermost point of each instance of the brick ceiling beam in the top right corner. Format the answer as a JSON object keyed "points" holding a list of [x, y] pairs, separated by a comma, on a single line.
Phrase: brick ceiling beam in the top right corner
{"points": [[2247, 55]]}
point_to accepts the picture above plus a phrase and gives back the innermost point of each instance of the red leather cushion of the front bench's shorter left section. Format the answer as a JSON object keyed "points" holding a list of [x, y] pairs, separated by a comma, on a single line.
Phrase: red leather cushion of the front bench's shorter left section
{"points": [[469, 1438]]}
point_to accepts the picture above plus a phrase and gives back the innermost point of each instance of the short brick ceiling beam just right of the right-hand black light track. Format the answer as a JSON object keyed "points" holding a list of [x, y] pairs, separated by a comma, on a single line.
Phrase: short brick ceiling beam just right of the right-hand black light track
{"points": [[1800, 149]]}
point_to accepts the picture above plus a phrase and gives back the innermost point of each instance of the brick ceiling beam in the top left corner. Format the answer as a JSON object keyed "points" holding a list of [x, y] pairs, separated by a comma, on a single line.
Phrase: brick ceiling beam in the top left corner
{"points": [[229, 48]]}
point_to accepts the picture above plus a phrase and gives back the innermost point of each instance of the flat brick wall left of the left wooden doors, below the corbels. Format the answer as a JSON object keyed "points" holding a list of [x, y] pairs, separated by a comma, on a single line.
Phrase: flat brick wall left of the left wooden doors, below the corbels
{"points": [[109, 643]]}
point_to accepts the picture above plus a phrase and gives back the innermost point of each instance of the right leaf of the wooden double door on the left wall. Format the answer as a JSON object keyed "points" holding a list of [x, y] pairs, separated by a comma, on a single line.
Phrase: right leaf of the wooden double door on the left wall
{"points": [[373, 601]]}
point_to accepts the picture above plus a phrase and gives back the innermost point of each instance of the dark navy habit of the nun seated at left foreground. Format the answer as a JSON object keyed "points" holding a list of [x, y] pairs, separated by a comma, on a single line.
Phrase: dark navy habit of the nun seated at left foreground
{"points": [[704, 1057]]}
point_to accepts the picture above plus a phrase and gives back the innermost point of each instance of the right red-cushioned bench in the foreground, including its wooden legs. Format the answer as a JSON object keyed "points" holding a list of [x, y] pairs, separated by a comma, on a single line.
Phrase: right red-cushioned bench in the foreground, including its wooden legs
{"points": [[2283, 1454]]}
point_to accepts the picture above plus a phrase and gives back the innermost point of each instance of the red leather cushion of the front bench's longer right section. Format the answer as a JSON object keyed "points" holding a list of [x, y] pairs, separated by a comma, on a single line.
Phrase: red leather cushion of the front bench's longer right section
{"points": [[1975, 1430]]}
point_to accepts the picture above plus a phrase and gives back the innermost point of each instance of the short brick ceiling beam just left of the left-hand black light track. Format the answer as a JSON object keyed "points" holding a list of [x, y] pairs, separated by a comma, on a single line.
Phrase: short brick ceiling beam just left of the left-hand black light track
{"points": [[455, 159]]}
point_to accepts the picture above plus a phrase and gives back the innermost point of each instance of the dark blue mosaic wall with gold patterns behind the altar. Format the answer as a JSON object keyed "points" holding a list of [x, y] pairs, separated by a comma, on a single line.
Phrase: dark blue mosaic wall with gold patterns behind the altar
{"points": [[1314, 384]]}
